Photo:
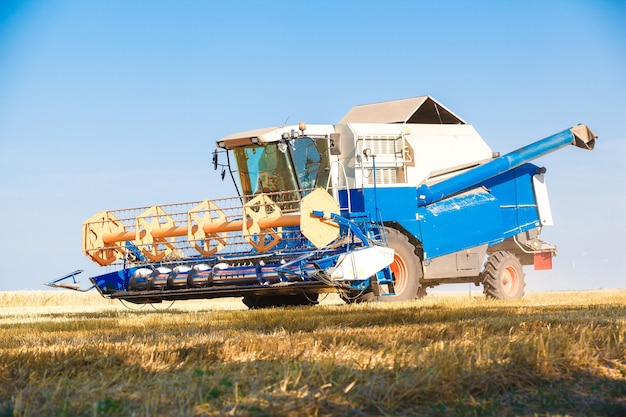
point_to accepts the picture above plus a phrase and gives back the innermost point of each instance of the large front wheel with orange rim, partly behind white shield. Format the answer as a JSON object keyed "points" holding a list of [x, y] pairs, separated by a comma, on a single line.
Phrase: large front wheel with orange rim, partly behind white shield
{"points": [[407, 272]]}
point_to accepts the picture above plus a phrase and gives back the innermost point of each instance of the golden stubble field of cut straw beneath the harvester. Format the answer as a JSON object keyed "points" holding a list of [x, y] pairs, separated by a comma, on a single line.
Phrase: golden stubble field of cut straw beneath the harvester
{"points": [[550, 354]]}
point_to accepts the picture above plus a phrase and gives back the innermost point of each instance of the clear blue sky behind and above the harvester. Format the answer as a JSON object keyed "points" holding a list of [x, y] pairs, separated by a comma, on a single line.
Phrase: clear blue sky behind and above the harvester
{"points": [[106, 104]]}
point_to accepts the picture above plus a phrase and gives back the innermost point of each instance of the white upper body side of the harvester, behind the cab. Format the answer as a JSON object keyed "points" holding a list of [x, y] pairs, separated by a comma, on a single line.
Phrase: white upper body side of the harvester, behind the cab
{"points": [[408, 154]]}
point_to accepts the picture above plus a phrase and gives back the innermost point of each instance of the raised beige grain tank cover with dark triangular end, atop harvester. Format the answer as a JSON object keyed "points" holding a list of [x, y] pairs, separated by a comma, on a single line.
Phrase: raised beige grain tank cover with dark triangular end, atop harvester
{"points": [[419, 110]]}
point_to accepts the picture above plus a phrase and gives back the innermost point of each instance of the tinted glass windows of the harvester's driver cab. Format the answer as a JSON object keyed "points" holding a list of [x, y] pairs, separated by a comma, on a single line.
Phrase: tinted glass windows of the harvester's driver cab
{"points": [[279, 167]]}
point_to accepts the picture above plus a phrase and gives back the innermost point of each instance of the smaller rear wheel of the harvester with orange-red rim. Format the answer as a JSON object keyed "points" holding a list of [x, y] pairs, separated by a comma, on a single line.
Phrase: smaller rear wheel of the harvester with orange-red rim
{"points": [[503, 277]]}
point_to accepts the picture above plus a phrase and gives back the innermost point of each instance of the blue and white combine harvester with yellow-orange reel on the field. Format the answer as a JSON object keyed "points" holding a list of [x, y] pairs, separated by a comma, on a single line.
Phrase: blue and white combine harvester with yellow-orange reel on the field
{"points": [[397, 197]]}
